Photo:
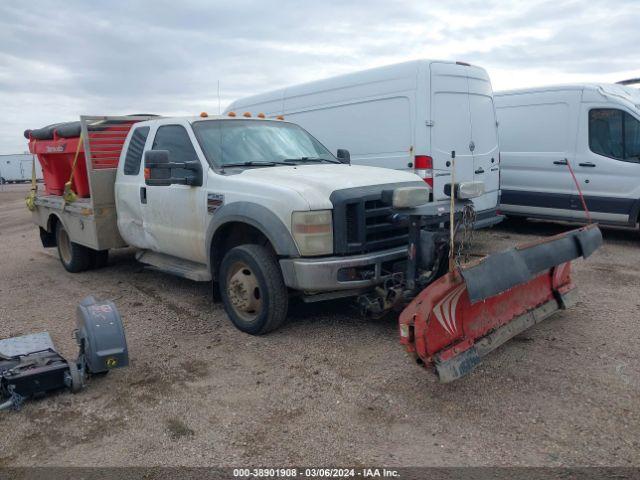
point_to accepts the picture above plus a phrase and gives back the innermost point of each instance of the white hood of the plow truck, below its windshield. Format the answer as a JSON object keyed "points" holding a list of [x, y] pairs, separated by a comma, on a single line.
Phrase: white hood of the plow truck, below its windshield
{"points": [[316, 183]]}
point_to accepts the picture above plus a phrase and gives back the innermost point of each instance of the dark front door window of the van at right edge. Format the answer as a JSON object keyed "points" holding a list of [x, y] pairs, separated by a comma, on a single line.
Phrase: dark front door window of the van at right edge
{"points": [[614, 134]]}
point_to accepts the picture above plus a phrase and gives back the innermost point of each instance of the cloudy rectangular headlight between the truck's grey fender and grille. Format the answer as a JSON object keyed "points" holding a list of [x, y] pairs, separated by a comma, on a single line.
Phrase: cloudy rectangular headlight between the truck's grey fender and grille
{"points": [[313, 232]]}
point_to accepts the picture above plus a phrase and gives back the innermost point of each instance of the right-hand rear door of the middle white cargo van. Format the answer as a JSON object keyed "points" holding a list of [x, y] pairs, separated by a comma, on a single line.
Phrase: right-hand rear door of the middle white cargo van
{"points": [[484, 137]]}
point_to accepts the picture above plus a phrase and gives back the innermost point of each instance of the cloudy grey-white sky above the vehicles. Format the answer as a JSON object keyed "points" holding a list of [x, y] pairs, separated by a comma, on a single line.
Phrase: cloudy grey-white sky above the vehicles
{"points": [[59, 59]]}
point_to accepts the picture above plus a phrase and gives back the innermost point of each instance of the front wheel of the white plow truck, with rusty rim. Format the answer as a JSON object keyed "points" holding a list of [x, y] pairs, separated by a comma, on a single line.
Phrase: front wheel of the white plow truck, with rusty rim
{"points": [[252, 289]]}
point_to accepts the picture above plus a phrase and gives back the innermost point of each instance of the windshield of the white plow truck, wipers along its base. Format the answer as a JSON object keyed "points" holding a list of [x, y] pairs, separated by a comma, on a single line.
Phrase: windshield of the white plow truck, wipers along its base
{"points": [[254, 143]]}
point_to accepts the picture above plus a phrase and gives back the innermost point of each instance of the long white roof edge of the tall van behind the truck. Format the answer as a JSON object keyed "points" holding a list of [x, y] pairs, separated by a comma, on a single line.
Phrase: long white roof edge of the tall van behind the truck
{"points": [[339, 81]]}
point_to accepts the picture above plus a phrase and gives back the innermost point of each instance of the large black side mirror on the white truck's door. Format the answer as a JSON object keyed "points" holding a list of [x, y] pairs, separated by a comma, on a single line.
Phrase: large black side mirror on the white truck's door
{"points": [[158, 170]]}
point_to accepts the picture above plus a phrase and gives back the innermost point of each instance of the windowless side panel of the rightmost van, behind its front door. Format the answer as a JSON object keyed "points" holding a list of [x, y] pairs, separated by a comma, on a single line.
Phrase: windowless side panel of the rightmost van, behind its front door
{"points": [[536, 130]]}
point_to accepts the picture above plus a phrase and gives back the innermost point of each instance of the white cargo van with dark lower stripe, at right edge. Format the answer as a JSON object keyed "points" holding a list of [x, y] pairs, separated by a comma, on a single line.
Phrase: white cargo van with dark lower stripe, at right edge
{"points": [[595, 128]]}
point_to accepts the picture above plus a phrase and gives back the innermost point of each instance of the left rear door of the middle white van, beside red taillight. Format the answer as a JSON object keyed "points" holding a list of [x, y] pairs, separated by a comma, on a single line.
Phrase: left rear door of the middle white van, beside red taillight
{"points": [[450, 126]]}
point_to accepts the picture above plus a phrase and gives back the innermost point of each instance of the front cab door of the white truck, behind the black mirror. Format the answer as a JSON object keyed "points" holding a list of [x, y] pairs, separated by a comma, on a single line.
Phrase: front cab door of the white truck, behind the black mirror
{"points": [[174, 215]]}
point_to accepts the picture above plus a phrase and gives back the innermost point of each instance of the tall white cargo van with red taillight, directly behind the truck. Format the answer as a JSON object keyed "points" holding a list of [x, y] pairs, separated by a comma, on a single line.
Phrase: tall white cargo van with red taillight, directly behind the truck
{"points": [[408, 116]]}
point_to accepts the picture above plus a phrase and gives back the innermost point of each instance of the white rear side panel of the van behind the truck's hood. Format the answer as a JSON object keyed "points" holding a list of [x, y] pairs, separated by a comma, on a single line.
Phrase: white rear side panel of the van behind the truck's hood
{"points": [[372, 114]]}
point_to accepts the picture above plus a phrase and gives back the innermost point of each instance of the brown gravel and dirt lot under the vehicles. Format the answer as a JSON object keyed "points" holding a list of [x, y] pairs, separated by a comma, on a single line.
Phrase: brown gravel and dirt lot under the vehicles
{"points": [[329, 388]]}
